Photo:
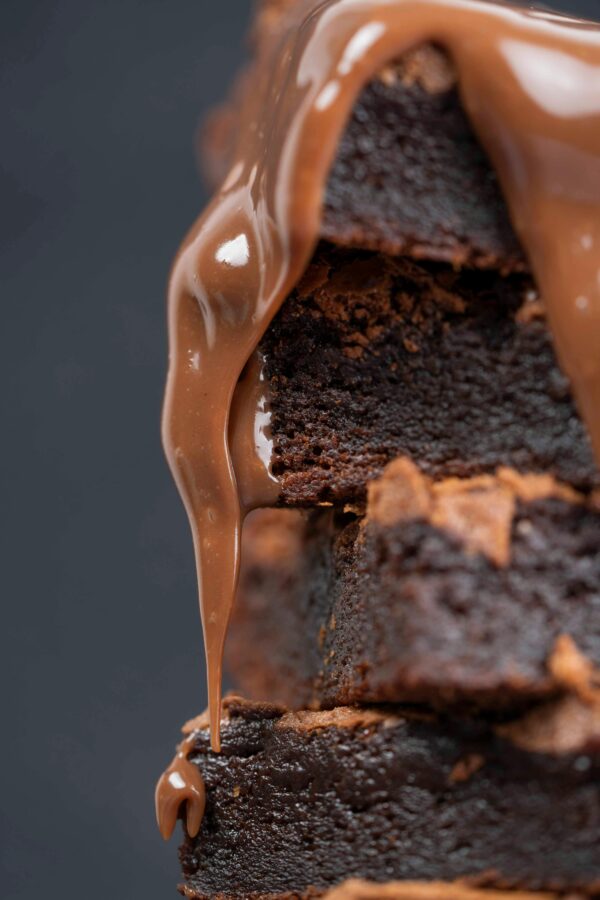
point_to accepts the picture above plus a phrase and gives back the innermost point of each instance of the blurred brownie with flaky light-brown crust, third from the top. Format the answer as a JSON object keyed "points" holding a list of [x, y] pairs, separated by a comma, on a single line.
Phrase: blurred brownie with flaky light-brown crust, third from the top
{"points": [[457, 593]]}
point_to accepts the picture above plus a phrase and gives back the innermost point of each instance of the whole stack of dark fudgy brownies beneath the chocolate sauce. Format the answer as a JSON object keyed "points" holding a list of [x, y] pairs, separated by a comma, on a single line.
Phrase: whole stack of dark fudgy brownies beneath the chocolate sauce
{"points": [[417, 629]]}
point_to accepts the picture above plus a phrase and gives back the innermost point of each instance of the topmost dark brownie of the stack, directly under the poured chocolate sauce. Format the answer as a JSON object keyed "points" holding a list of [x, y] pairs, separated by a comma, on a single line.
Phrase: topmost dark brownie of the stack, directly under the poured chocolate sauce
{"points": [[410, 176]]}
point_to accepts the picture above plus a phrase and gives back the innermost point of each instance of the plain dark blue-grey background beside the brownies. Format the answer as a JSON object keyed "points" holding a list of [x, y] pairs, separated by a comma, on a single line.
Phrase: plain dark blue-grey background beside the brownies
{"points": [[99, 100]]}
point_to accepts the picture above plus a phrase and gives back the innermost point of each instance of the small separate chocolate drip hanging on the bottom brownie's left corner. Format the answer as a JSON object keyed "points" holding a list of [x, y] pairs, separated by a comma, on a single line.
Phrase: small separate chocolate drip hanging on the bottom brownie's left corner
{"points": [[180, 783]]}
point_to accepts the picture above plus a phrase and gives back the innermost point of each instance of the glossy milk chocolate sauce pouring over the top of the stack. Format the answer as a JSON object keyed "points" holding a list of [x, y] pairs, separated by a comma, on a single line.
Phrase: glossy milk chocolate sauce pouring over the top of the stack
{"points": [[530, 83]]}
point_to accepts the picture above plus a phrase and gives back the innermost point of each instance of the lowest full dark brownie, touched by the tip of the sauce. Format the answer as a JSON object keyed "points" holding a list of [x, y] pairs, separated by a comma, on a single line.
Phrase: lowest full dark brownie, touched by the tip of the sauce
{"points": [[306, 800]]}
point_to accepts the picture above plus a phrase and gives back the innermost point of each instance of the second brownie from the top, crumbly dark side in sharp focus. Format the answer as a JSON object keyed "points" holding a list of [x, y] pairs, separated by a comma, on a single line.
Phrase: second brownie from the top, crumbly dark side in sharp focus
{"points": [[374, 357]]}
